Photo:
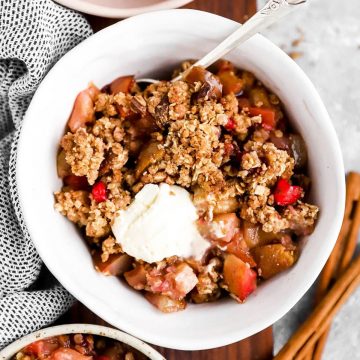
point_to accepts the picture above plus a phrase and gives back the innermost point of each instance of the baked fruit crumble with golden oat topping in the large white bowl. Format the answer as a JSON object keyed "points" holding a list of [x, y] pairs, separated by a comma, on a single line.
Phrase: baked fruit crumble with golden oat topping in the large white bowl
{"points": [[220, 135]]}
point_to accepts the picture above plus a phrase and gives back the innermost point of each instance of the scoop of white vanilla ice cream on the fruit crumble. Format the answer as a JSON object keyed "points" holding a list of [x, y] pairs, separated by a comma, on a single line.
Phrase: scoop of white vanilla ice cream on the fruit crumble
{"points": [[160, 223]]}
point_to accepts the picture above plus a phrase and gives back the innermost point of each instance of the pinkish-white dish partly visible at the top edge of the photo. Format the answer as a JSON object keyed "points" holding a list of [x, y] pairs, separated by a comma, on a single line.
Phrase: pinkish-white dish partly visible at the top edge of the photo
{"points": [[121, 8]]}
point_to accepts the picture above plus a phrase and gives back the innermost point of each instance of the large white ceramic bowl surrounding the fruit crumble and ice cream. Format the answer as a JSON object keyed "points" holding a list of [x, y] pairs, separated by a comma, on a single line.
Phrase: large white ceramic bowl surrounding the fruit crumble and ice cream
{"points": [[144, 45]]}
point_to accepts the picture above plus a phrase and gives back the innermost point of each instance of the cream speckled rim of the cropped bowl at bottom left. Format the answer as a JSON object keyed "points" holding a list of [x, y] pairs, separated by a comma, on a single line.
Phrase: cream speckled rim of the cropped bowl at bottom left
{"points": [[8, 352]]}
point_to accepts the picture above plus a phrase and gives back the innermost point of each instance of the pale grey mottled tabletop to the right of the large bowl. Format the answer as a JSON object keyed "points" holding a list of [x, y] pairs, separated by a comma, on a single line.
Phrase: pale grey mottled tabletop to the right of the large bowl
{"points": [[325, 35]]}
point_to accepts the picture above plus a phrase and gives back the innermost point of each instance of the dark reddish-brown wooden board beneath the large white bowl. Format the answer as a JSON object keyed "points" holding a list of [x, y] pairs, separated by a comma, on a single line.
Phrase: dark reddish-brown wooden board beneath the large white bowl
{"points": [[257, 347]]}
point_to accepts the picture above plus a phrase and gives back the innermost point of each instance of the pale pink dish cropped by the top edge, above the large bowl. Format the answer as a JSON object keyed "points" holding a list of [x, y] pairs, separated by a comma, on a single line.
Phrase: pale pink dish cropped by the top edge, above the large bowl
{"points": [[114, 12]]}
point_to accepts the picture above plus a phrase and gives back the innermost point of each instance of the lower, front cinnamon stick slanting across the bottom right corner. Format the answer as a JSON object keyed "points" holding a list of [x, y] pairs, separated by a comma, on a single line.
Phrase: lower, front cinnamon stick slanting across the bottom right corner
{"points": [[310, 331]]}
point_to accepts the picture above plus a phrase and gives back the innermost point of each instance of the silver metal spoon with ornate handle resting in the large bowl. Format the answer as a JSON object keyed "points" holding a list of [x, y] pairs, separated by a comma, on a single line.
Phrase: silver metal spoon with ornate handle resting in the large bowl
{"points": [[270, 13]]}
